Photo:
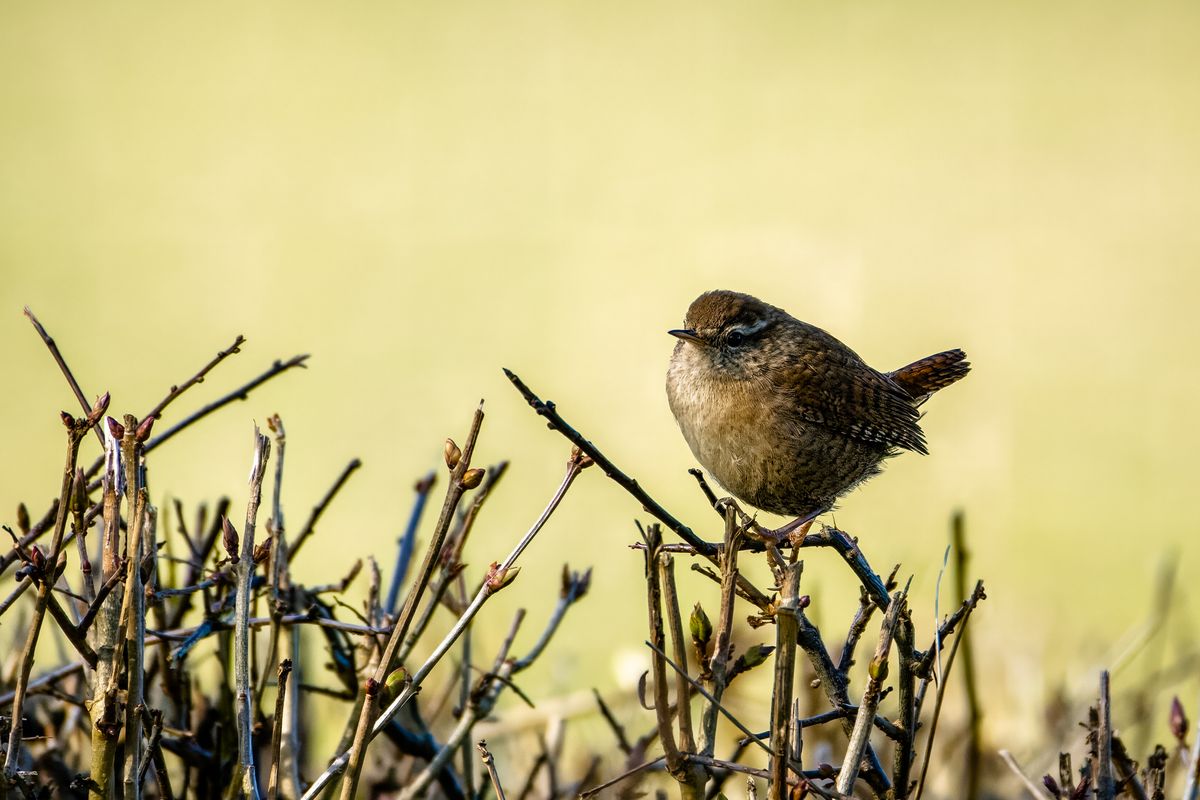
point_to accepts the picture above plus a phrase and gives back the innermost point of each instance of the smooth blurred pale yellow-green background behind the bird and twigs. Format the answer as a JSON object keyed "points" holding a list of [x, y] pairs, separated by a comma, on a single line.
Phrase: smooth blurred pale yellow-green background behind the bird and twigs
{"points": [[422, 194]]}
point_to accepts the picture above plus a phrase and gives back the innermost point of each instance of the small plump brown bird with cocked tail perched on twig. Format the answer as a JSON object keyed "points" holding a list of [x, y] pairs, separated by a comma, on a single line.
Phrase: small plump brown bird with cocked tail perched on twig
{"points": [[783, 414]]}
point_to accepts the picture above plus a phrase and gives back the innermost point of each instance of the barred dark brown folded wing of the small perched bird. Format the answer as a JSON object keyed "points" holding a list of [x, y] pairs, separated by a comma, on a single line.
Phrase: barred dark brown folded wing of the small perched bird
{"points": [[833, 388]]}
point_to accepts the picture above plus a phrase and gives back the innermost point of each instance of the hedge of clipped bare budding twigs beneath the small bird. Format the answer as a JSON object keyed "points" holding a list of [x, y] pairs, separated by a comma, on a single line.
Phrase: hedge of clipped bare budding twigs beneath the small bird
{"points": [[129, 591]]}
